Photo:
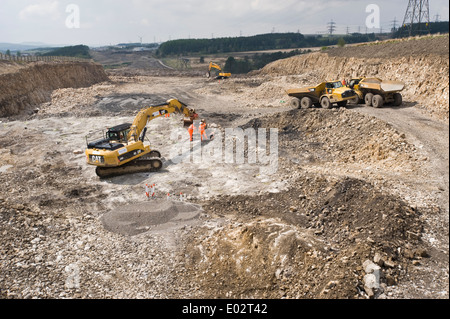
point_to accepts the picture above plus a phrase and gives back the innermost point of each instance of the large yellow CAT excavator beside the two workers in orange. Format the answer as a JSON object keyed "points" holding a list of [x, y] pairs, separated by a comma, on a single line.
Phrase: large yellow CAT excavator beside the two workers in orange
{"points": [[122, 151]]}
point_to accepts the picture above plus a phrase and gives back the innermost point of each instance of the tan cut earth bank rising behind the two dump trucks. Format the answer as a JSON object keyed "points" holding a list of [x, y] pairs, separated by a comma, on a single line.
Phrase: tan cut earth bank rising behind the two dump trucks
{"points": [[426, 76]]}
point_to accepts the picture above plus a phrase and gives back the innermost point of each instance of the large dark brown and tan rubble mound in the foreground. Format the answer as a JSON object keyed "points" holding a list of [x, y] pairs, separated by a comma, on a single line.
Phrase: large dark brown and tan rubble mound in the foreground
{"points": [[308, 242]]}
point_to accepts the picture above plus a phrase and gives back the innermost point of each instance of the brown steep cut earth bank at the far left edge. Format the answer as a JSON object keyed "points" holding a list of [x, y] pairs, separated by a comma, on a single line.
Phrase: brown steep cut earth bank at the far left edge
{"points": [[32, 85]]}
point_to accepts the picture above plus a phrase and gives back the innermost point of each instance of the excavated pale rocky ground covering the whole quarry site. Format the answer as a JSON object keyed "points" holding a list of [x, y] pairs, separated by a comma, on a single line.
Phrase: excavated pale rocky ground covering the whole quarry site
{"points": [[354, 189]]}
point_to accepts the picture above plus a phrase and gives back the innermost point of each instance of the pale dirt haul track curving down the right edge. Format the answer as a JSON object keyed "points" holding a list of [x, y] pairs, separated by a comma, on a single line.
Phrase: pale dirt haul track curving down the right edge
{"points": [[432, 138]]}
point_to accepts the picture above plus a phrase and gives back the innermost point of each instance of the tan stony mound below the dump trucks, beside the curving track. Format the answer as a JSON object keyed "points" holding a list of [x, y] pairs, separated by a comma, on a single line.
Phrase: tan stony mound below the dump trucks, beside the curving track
{"points": [[319, 136]]}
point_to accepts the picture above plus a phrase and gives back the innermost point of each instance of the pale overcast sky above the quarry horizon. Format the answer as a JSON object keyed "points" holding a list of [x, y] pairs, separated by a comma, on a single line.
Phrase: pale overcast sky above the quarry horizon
{"points": [[106, 22]]}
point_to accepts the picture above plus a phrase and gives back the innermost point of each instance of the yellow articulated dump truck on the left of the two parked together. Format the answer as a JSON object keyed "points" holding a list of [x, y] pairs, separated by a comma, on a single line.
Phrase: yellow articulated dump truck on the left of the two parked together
{"points": [[324, 95]]}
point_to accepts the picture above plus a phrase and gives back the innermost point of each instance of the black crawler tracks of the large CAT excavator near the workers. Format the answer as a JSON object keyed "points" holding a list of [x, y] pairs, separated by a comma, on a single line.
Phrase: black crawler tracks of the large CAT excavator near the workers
{"points": [[144, 165]]}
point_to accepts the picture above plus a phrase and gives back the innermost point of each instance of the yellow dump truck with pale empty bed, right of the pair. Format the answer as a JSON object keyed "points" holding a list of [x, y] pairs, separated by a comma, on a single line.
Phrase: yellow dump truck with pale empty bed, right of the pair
{"points": [[376, 92]]}
